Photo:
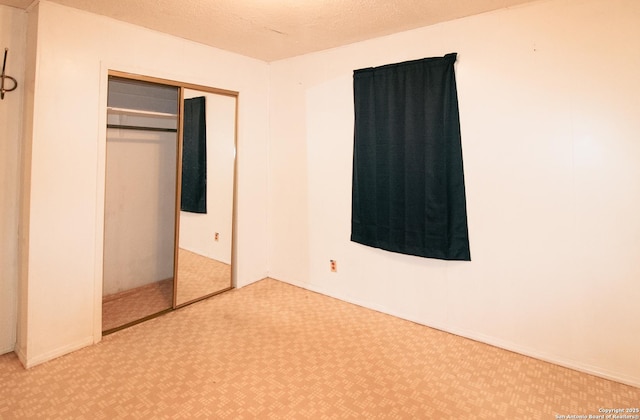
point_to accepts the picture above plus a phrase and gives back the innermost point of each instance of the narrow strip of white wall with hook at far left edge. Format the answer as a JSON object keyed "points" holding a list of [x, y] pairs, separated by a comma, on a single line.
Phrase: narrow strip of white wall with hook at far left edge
{"points": [[12, 36]]}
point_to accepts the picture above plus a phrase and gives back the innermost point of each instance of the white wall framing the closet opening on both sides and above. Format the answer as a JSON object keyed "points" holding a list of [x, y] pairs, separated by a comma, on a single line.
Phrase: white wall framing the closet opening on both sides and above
{"points": [[61, 279]]}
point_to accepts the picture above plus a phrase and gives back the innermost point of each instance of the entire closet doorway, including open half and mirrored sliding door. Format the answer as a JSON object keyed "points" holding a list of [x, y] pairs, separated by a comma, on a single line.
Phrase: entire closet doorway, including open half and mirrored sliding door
{"points": [[170, 194]]}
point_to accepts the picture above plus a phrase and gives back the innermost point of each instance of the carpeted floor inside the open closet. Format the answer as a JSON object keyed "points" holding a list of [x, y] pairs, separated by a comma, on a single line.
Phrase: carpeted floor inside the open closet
{"points": [[132, 305]]}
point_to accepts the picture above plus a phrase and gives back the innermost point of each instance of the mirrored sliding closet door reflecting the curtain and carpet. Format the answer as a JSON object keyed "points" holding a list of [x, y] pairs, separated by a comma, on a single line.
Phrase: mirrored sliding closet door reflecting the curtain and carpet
{"points": [[207, 182]]}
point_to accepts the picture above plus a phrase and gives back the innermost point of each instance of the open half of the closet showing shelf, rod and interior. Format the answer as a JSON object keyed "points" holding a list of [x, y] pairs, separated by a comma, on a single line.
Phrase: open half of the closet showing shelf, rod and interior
{"points": [[140, 201]]}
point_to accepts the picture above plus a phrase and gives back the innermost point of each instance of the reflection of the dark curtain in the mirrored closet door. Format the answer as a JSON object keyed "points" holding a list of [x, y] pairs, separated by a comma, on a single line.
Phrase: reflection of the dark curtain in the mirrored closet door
{"points": [[194, 157]]}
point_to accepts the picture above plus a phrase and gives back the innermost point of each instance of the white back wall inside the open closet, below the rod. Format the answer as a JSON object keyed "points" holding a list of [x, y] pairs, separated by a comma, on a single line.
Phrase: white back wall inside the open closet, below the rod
{"points": [[140, 206]]}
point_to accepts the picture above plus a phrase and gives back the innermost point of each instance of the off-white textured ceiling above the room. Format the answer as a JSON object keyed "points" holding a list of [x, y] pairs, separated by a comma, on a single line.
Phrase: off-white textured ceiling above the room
{"points": [[274, 29]]}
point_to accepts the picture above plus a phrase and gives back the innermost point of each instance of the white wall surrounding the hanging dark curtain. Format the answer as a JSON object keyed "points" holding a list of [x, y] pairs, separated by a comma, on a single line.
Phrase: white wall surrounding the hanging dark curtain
{"points": [[549, 98]]}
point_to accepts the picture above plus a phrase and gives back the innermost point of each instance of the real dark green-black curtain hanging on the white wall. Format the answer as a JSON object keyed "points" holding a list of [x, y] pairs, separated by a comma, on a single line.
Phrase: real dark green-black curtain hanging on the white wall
{"points": [[408, 182]]}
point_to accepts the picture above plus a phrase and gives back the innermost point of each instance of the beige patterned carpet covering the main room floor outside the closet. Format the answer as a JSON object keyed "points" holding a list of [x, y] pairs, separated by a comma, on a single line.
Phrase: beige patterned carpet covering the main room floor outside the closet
{"points": [[271, 350]]}
